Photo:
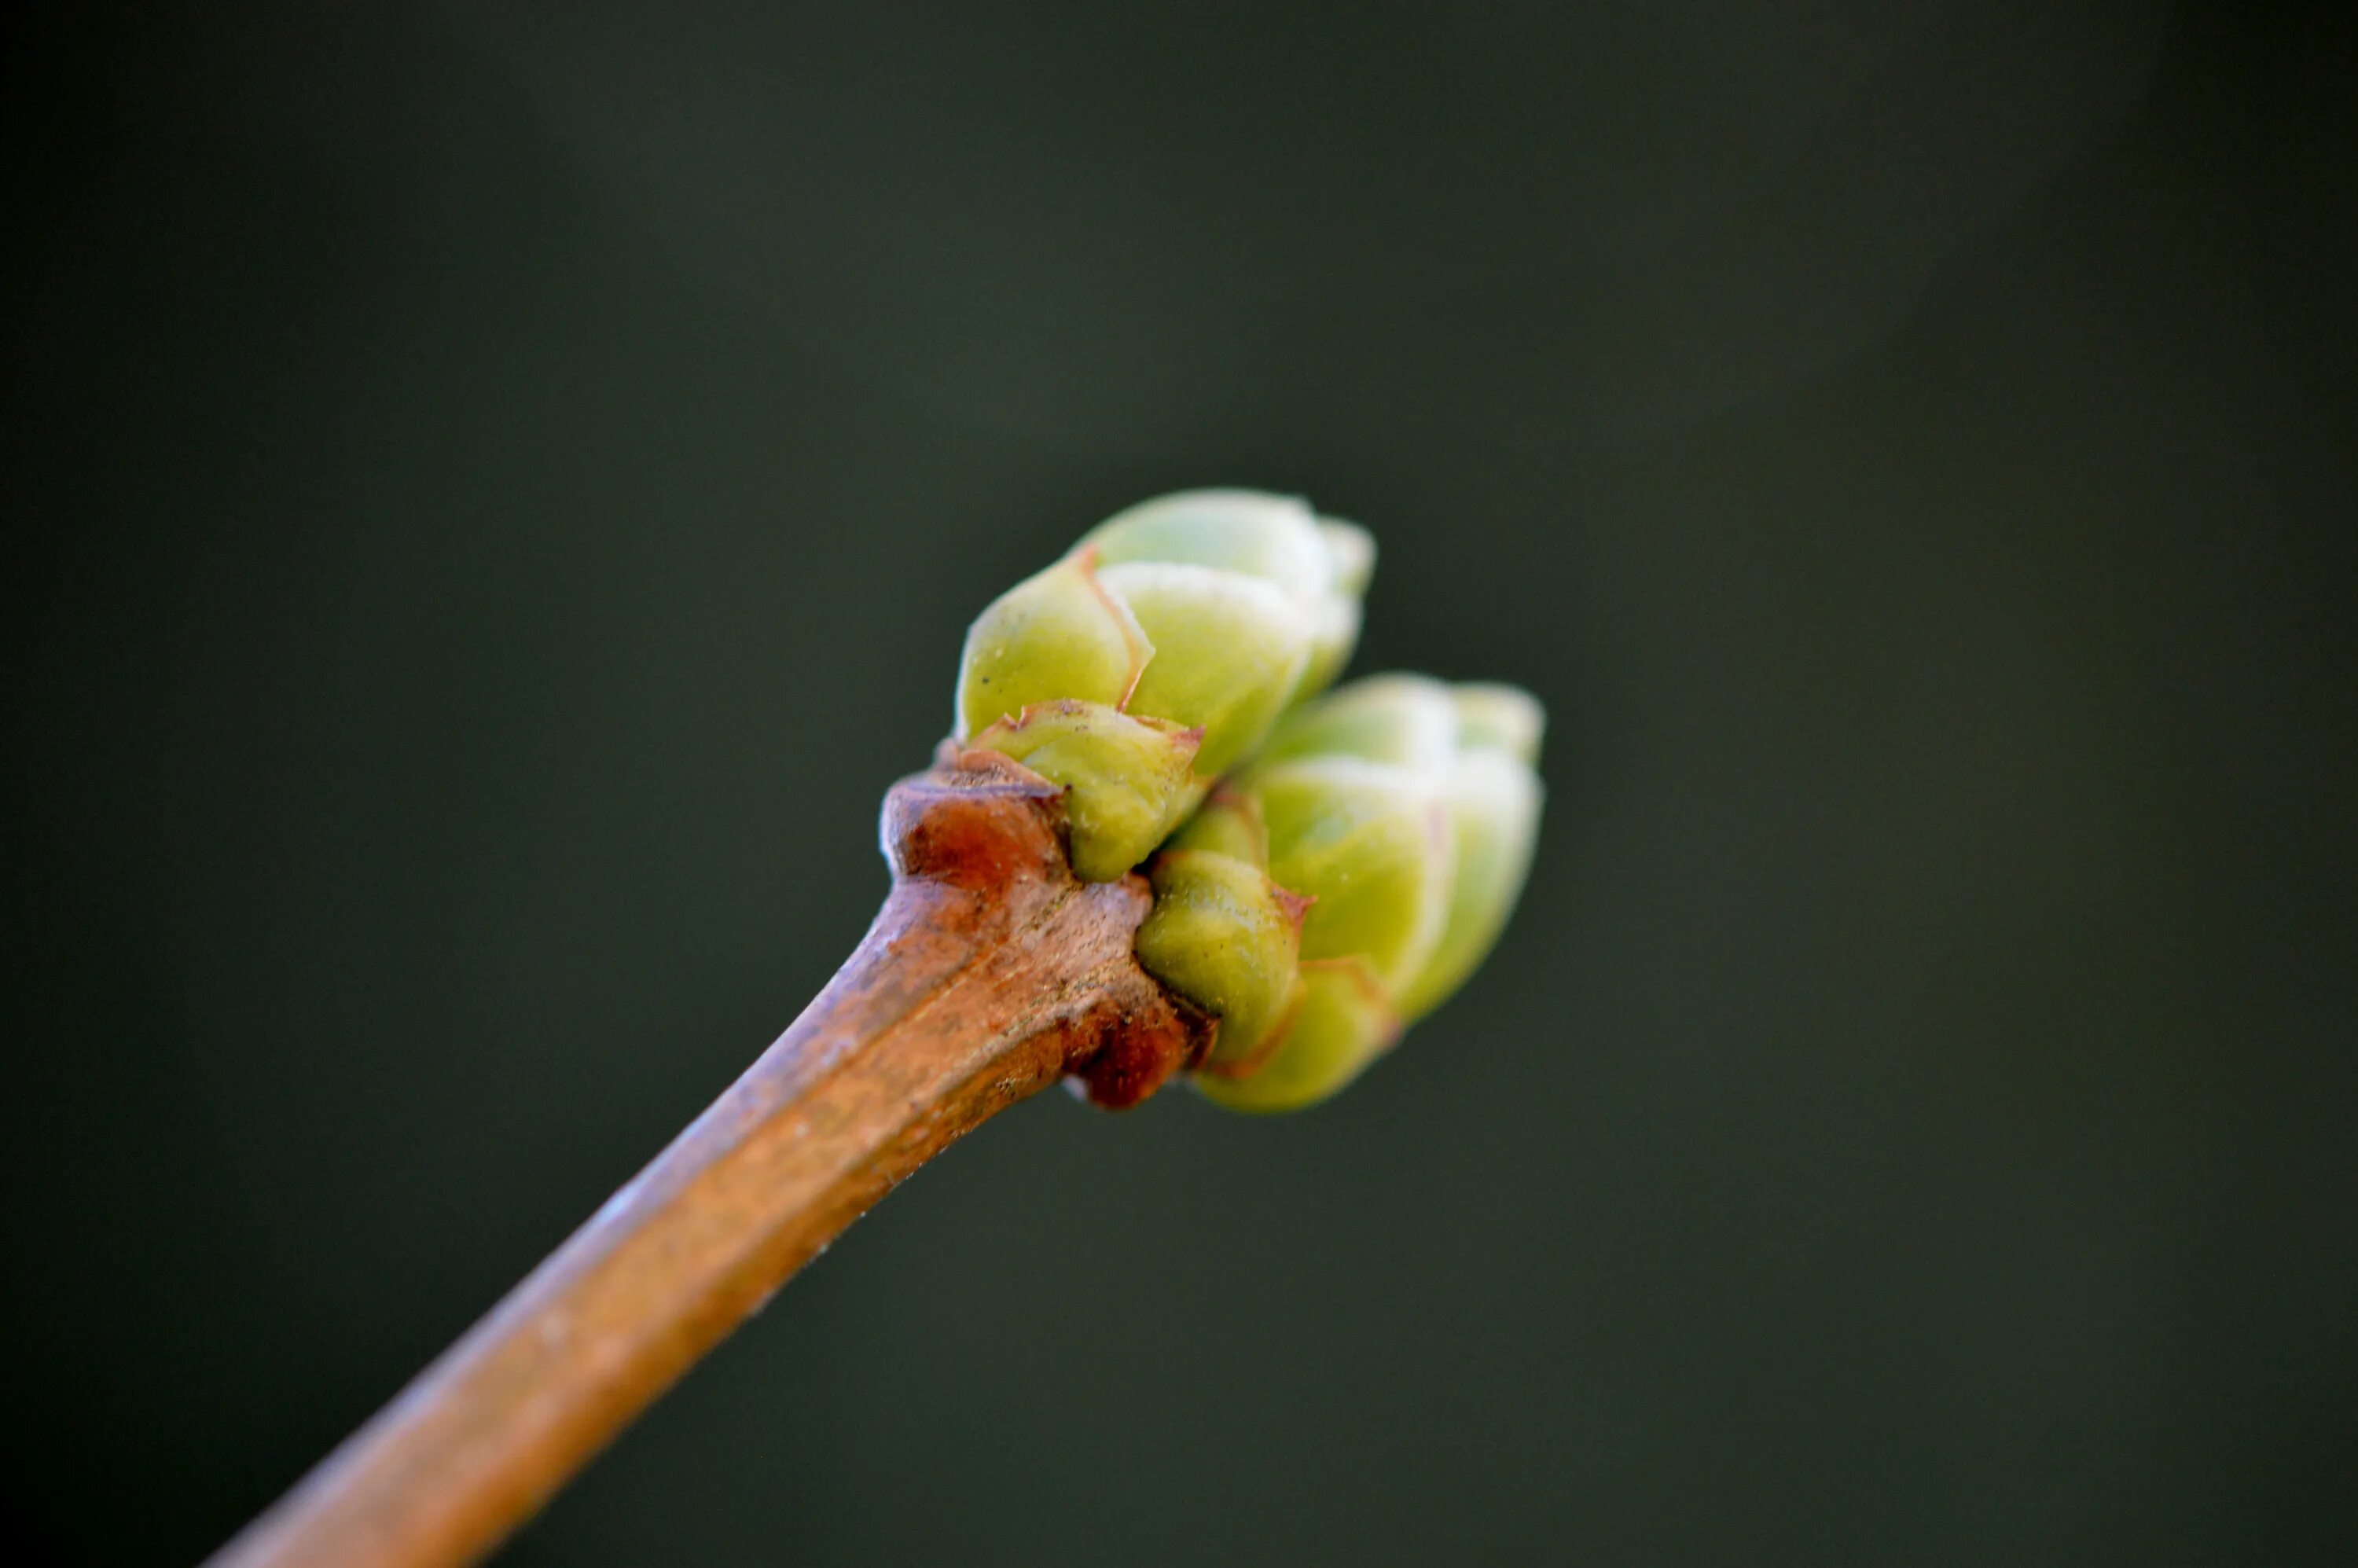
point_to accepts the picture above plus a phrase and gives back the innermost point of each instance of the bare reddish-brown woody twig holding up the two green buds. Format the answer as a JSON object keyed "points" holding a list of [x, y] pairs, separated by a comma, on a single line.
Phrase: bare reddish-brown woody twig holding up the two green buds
{"points": [[989, 975]]}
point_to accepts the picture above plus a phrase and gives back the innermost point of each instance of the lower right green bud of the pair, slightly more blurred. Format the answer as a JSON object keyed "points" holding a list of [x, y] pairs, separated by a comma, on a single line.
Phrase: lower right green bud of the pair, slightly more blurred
{"points": [[1404, 812]]}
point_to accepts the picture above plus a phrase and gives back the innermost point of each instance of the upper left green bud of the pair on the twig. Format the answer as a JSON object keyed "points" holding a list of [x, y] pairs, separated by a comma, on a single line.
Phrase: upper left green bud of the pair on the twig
{"points": [[1201, 614]]}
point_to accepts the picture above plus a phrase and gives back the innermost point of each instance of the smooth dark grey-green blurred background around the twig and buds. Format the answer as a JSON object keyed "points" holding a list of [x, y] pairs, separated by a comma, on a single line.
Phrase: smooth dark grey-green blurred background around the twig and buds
{"points": [[494, 501]]}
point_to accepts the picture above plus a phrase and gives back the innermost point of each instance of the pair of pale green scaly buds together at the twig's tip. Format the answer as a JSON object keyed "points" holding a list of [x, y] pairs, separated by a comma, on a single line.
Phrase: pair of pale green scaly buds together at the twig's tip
{"points": [[1331, 869]]}
